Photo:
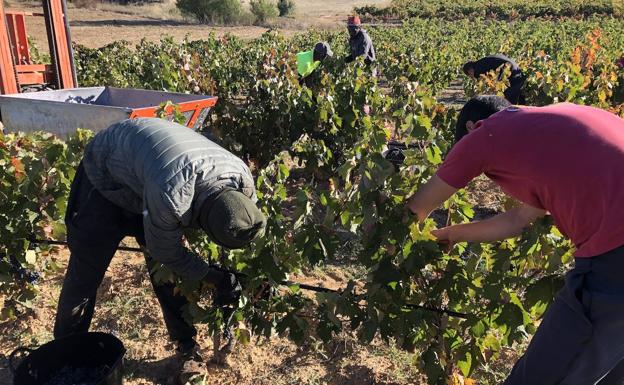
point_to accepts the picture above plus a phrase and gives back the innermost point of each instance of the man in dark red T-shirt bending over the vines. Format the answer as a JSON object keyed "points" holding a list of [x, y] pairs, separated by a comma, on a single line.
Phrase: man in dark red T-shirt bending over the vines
{"points": [[567, 160]]}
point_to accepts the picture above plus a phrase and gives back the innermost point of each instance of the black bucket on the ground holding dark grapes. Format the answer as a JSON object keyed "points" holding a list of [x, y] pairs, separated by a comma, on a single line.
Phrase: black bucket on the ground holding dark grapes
{"points": [[95, 351]]}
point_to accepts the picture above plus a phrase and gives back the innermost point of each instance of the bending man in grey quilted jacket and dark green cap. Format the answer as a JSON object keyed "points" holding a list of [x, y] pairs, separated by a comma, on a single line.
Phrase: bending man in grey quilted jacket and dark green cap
{"points": [[151, 179]]}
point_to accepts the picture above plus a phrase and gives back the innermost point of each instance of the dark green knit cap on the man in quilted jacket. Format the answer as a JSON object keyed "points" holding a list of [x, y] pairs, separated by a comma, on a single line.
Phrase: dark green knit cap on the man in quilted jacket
{"points": [[232, 219]]}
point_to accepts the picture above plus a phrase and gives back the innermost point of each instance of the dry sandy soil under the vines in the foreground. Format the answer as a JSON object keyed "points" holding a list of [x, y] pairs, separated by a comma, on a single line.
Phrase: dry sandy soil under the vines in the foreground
{"points": [[128, 308]]}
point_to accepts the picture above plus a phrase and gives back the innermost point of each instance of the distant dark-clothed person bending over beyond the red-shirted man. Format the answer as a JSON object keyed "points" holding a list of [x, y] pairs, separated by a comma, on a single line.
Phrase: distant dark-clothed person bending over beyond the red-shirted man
{"points": [[513, 93]]}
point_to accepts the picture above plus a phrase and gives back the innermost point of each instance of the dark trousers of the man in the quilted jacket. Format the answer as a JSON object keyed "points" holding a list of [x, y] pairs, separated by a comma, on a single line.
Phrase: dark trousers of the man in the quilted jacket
{"points": [[95, 227]]}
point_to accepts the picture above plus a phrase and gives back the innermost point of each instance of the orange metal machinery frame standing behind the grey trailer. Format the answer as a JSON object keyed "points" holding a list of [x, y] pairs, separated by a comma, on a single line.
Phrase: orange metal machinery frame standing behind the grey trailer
{"points": [[16, 68]]}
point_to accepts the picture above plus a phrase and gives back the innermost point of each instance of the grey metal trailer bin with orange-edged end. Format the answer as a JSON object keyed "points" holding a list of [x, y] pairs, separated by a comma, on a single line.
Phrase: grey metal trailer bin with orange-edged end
{"points": [[63, 111]]}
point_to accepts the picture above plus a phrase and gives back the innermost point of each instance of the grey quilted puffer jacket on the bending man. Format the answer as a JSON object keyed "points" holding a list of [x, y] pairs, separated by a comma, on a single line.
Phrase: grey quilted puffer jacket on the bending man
{"points": [[164, 171]]}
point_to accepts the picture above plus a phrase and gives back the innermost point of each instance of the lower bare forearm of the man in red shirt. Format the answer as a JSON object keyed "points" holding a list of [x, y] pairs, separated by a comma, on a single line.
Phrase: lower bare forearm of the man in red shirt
{"points": [[506, 225]]}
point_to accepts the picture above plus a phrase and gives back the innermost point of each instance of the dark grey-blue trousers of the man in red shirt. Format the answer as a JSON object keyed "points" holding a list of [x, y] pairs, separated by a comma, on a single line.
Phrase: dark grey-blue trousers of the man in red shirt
{"points": [[581, 338]]}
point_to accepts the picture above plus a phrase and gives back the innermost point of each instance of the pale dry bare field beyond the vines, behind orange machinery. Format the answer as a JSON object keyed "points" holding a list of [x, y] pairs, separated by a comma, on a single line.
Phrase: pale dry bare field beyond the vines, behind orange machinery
{"points": [[105, 23]]}
